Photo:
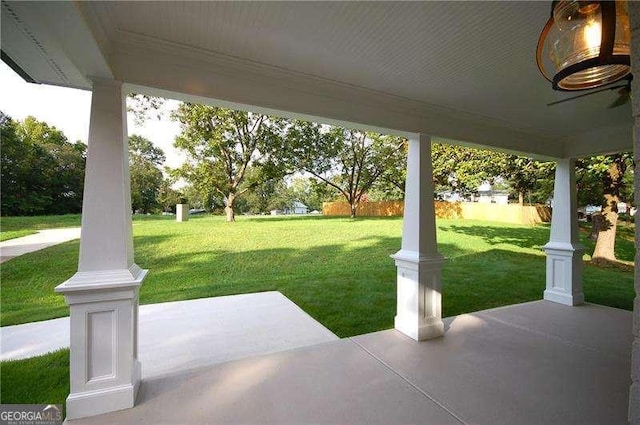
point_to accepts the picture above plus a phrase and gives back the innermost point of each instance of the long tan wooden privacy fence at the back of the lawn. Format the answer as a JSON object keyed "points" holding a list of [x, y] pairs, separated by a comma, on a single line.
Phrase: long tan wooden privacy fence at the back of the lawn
{"points": [[510, 213]]}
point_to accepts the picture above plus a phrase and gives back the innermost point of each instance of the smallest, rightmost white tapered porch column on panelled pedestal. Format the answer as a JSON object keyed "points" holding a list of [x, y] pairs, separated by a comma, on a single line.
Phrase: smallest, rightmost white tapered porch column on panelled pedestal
{"points": [[564, 252]]}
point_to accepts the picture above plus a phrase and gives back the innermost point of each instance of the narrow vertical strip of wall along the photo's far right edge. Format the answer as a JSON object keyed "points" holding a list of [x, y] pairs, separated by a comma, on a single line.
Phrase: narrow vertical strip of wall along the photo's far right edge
{"points": [[634, 392]]}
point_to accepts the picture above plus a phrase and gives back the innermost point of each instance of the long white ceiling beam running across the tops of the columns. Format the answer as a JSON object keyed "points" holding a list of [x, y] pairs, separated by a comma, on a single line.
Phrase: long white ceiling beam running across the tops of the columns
{"points": [[146, 62]]}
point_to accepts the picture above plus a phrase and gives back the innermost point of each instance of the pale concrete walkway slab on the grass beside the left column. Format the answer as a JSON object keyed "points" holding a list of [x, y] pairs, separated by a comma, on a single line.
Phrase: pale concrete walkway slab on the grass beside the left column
{"points": [[183, 335]]}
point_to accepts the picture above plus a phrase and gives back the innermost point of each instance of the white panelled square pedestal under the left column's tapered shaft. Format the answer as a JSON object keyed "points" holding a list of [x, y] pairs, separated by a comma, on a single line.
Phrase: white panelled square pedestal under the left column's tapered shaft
{"points": [[105, 371]]}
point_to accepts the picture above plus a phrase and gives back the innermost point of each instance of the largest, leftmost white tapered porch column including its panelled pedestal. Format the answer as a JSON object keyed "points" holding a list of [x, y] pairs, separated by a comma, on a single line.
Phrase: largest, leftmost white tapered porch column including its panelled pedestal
{"points": [[103, 294]]}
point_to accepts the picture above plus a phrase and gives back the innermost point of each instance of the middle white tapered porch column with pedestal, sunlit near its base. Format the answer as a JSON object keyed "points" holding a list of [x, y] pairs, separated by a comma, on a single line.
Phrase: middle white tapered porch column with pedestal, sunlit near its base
{"points": [[419, 312]]}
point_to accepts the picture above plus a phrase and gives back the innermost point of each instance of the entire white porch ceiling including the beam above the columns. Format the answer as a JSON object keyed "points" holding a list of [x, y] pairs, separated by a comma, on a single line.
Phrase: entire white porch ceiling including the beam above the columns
{"points": [[458, 70]]}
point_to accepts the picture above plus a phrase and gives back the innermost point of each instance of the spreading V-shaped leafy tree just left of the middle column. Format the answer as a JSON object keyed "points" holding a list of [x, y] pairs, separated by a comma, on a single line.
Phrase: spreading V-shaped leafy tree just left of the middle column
{"points": [[350, 161]]}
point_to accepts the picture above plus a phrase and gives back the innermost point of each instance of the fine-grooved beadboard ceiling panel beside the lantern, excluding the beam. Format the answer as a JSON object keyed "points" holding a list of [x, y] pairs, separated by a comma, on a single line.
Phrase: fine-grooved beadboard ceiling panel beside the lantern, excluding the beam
{"points": [[472, 57]]}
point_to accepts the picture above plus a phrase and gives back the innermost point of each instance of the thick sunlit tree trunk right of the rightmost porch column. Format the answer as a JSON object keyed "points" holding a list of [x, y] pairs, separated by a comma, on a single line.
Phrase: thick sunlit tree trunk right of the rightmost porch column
{"points": [[605, 245]]}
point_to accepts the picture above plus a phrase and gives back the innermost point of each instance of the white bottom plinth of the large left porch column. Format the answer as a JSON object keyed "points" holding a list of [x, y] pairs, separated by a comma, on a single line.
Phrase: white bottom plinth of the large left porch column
{"points": [[105, 400]]}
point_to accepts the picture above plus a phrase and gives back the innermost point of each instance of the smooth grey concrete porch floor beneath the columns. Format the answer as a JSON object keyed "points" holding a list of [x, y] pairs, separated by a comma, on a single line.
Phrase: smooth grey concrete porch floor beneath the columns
{"points": [[534, 363]]}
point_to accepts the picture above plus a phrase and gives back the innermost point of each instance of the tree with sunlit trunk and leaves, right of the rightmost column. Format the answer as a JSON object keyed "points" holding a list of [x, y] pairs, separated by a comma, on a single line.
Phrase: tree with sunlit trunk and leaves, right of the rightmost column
{"points": [[607, 174]]}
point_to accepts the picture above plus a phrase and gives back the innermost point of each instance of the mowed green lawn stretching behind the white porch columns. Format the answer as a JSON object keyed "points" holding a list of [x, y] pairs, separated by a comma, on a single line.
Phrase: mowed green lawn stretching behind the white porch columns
{"points": [[337, 269]]}
